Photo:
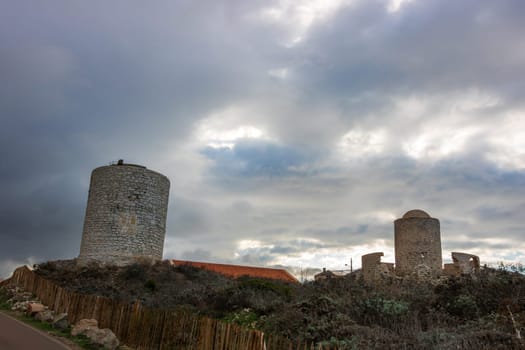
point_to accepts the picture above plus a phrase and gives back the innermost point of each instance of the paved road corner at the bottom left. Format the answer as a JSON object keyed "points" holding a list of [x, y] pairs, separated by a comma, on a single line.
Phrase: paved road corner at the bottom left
{"points": [[15, 335]]}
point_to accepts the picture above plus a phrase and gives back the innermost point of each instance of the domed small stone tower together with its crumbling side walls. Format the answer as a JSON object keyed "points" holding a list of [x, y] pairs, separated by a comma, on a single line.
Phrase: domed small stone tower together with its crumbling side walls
{"points": [[417, 244]]}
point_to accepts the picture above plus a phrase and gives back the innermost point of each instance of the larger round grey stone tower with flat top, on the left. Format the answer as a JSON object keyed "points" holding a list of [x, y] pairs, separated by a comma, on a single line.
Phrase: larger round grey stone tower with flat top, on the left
{"points": [[125, 215]]}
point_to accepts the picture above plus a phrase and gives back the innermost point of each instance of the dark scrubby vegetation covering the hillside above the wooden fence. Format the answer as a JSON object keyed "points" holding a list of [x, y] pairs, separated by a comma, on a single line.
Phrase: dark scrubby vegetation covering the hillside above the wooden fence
{"points": [[485, 311]]}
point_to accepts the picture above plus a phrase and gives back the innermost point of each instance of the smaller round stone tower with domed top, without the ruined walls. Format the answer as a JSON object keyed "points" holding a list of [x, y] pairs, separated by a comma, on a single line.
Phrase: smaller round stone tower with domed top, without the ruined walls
{"points": [[417, 243]]}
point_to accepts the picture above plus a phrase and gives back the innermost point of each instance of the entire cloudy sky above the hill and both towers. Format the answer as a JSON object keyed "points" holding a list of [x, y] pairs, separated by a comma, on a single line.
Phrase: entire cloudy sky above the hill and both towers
{"points": [[293, 132]]}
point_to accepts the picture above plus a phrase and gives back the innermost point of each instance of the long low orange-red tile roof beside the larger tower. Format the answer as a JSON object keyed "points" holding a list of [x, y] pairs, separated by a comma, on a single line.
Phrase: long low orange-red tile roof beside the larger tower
{"points": [[236, 271]]}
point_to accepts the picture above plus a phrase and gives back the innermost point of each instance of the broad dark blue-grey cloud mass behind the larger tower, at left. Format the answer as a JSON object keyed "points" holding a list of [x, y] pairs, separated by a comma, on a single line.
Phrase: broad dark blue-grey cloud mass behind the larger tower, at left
{"points": [[84, 84]]}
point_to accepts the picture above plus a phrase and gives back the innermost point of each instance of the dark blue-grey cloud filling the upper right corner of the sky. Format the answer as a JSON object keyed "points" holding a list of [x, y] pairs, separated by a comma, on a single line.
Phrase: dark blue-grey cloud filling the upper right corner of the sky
{"points": [[428, 46]]}
